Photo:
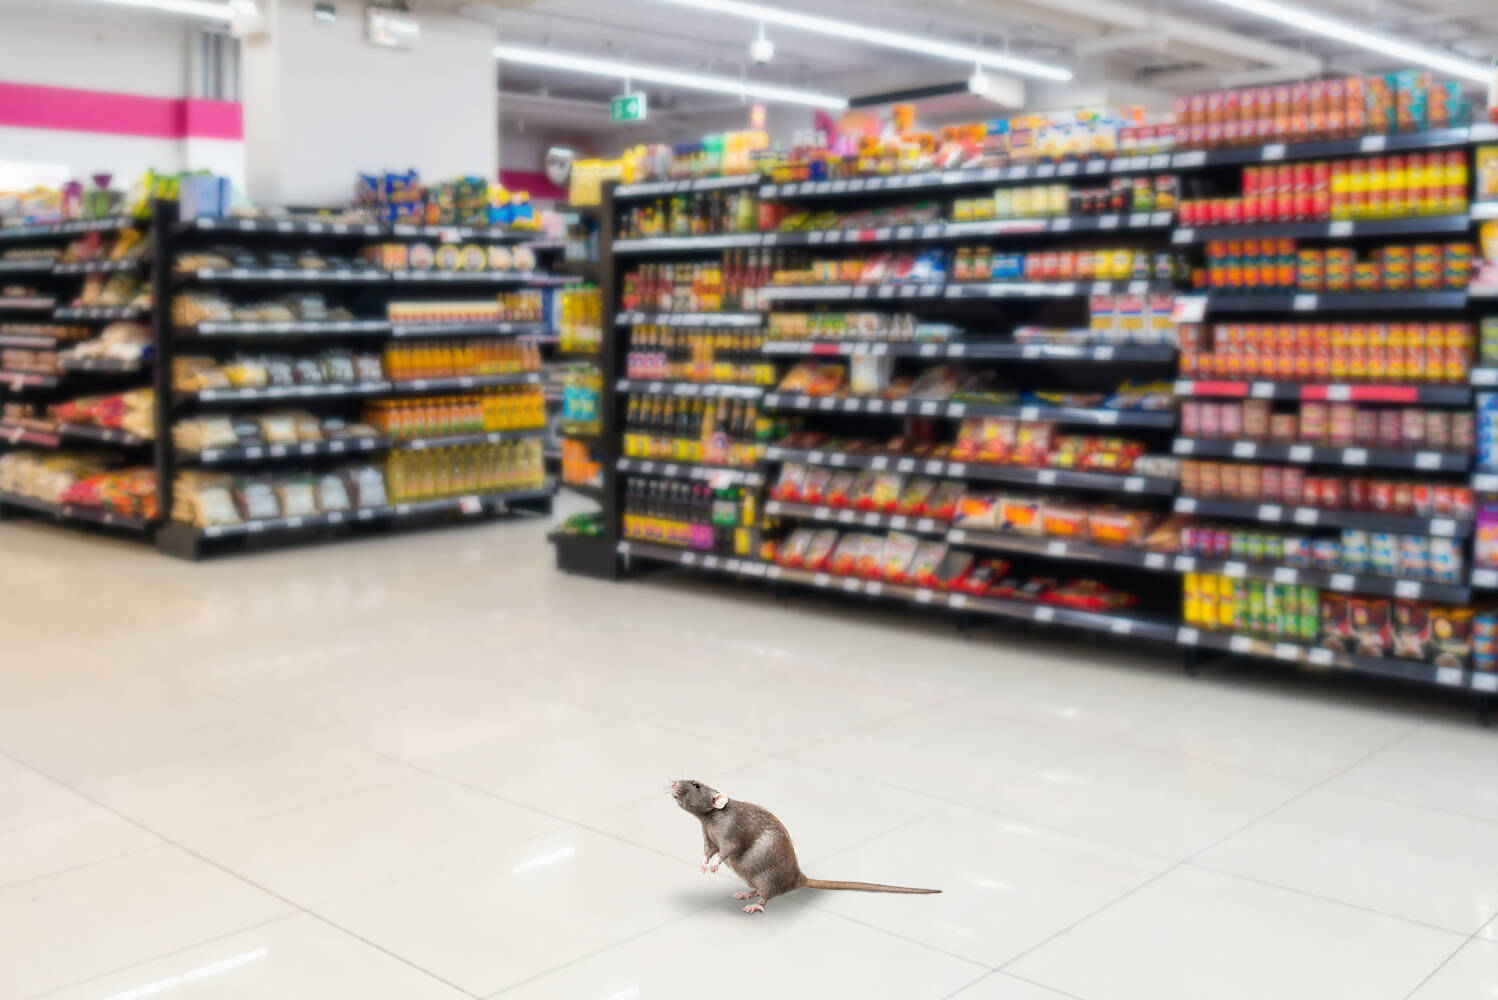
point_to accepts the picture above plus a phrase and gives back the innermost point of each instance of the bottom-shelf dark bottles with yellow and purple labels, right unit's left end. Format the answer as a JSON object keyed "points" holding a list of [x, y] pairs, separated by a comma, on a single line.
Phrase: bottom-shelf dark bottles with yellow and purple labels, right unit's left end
{"points": [[690, 514]]}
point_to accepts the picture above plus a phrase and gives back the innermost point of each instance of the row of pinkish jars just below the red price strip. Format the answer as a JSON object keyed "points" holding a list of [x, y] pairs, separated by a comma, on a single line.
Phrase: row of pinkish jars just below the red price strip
{"points": [[1335, 424]]}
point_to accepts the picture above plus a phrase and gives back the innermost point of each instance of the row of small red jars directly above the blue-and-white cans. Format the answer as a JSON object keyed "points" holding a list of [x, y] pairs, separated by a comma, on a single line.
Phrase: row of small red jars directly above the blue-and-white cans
{"points": [[1295, 486]]}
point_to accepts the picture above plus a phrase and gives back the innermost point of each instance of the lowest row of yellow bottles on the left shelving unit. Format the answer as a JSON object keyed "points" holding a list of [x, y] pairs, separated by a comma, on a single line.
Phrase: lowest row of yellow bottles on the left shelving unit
{"points": [[453, 472]]}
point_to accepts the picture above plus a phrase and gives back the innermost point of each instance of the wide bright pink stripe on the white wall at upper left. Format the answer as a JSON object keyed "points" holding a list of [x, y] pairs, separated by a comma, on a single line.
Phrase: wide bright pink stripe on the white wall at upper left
{"points": [[37, 107]]}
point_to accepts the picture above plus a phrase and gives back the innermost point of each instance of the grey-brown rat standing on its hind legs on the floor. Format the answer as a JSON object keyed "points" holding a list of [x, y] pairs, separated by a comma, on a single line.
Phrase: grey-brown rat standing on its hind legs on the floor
{"points": [[756, 847]]}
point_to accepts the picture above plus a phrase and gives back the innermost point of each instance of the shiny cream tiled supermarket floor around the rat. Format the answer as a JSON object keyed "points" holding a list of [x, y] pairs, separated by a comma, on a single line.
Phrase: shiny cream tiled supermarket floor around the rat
{"points": [[432, 767]]}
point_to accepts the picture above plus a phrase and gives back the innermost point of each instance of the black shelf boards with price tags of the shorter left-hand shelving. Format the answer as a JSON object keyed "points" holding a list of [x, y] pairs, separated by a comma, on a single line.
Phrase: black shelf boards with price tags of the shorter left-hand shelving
{"points": [[365, 288]]}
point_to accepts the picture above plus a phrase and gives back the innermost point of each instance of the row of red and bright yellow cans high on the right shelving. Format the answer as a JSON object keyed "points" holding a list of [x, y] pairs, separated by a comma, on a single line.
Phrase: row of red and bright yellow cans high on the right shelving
{"points": [[1395, 186]]}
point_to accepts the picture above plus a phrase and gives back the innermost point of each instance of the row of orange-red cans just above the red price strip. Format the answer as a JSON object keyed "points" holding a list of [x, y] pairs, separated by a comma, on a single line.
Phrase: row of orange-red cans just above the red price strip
{"points": [[1418, 353]]}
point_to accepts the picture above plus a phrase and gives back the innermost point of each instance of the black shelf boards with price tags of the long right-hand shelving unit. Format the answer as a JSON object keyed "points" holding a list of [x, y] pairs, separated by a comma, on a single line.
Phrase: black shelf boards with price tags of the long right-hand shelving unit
{"points": [[997, 308]]}
